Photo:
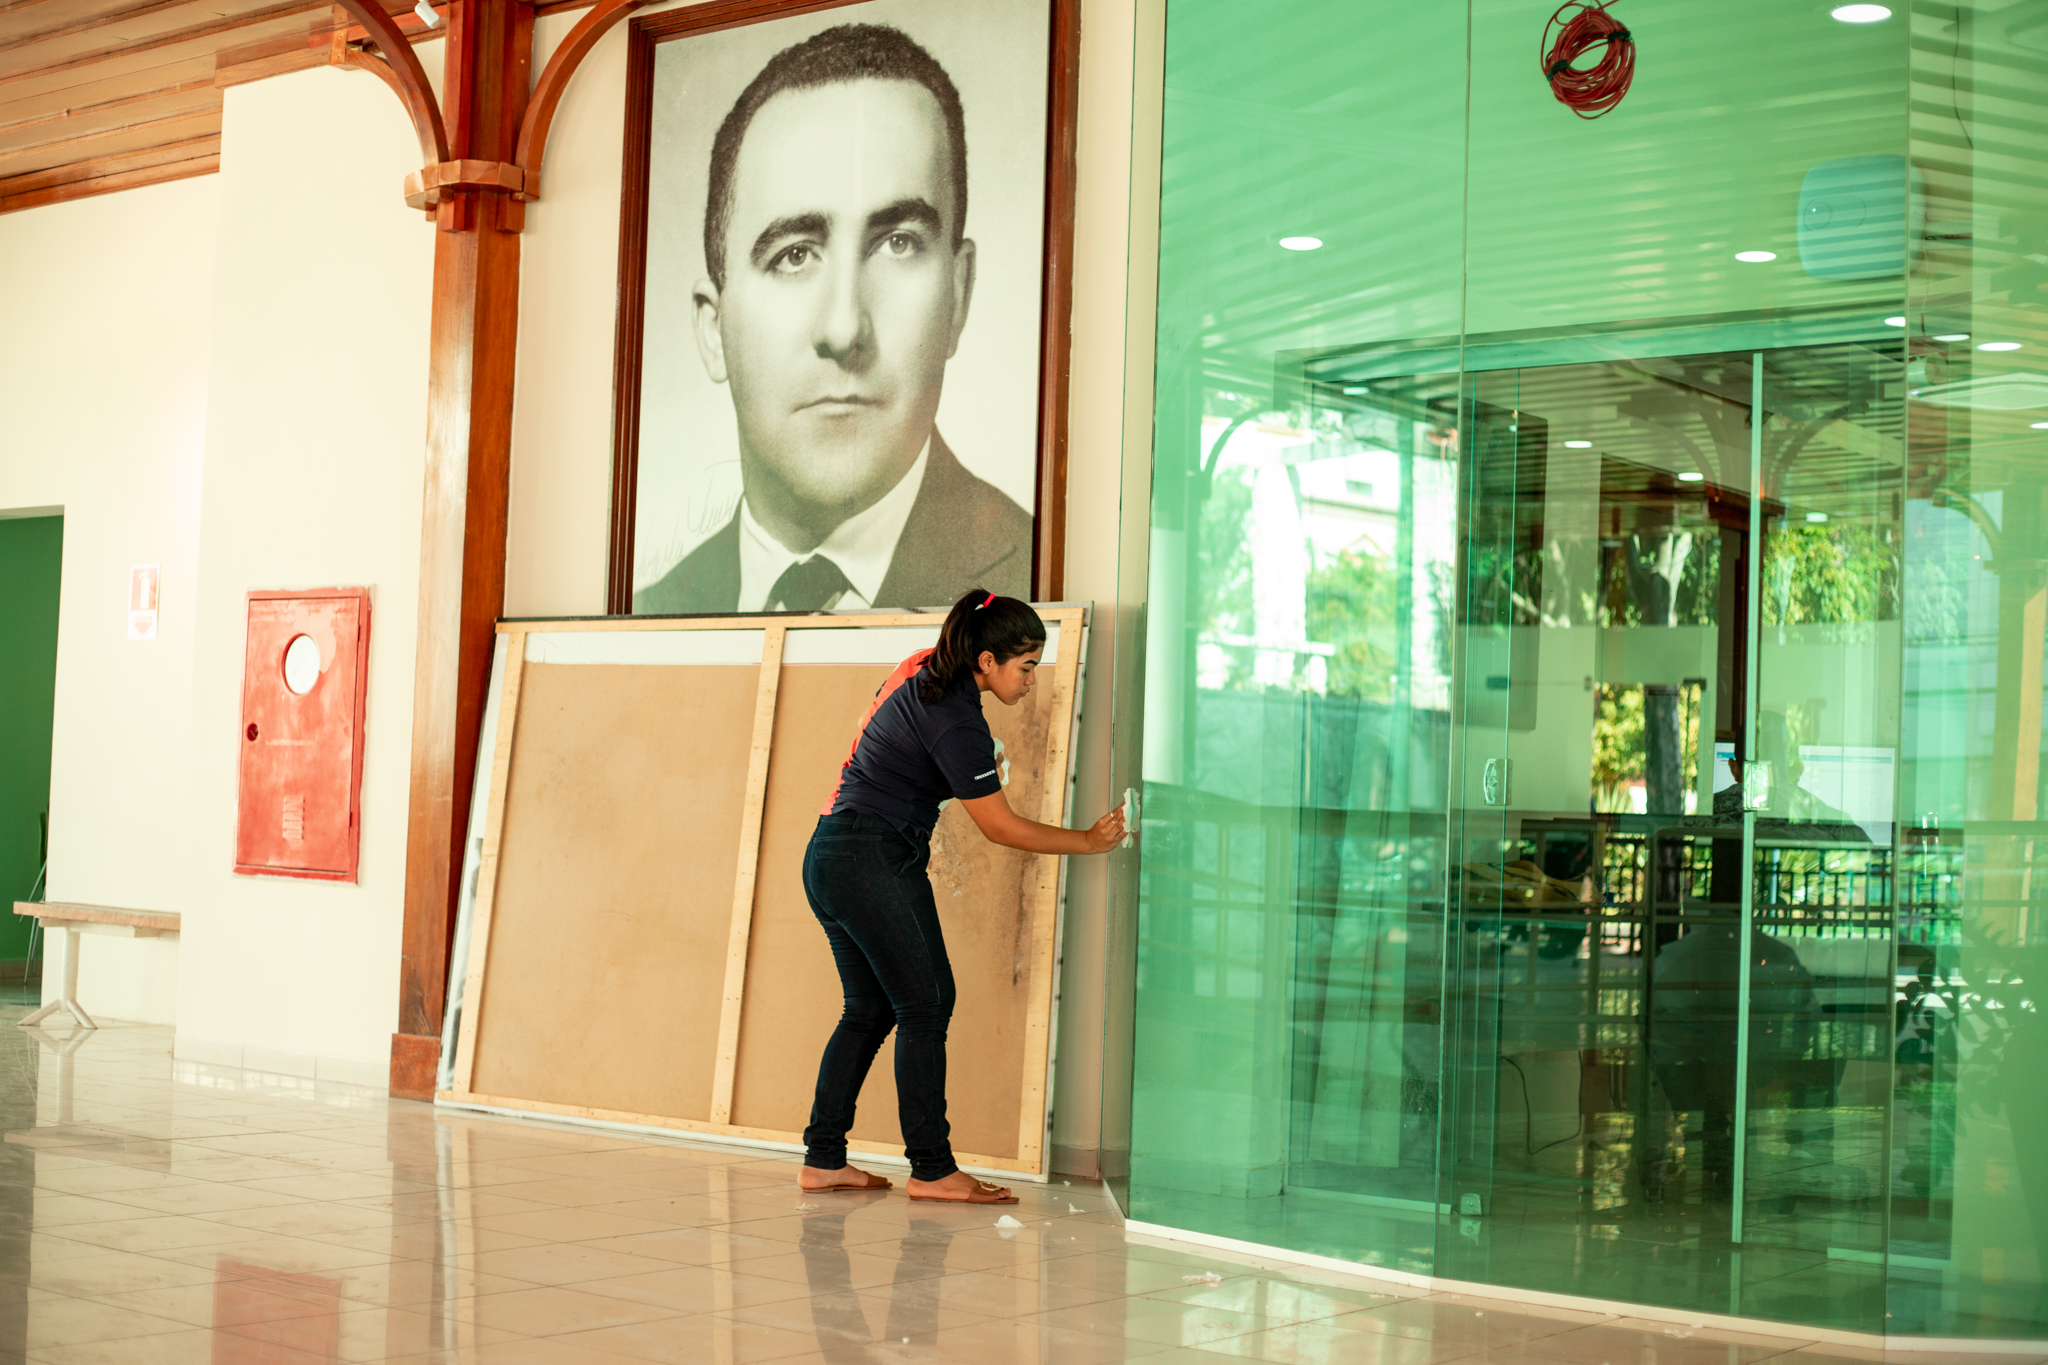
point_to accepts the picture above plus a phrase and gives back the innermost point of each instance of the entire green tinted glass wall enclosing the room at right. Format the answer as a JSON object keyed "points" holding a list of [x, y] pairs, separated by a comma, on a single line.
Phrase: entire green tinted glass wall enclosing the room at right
{"points": [[1592, 685]]}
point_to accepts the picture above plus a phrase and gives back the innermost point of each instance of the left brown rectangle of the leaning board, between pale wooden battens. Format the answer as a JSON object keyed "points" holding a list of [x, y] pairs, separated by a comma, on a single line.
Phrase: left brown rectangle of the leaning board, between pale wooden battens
{"points": [[615, 885]]}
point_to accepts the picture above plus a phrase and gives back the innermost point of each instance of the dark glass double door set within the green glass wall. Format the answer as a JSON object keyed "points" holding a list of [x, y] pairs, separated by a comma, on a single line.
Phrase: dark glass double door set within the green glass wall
{"points": [[1672, 914]]}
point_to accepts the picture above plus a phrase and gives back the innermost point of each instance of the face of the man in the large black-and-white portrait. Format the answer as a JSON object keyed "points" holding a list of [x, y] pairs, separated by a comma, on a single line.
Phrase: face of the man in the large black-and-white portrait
{"points": [[845, 298]]}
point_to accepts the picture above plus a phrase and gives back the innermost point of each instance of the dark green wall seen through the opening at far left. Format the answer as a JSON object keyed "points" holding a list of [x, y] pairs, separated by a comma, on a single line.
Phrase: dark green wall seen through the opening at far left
{"points": [[32, 558]]}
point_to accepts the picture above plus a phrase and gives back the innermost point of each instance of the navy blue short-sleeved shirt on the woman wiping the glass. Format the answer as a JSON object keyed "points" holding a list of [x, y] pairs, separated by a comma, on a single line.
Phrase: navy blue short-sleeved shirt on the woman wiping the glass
{"points": [[910, 754]]}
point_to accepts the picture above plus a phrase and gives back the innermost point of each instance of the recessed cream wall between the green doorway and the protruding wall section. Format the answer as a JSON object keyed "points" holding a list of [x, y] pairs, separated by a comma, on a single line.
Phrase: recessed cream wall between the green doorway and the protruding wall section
{"points": [[103, 406]]}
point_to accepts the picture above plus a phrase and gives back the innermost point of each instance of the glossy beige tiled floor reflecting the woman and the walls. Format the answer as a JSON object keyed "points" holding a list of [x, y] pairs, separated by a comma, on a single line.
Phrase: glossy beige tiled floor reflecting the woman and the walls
{"points": [[169, 1213]]}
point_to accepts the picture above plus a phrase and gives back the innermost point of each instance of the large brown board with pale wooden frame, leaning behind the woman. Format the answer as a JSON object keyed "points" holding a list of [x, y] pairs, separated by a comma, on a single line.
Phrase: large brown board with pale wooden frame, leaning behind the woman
{"points": [[640, 949]]}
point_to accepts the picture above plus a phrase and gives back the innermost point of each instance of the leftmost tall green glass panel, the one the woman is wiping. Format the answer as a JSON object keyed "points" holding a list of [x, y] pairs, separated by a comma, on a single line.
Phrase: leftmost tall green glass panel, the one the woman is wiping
{"points": [[1297, 640]]}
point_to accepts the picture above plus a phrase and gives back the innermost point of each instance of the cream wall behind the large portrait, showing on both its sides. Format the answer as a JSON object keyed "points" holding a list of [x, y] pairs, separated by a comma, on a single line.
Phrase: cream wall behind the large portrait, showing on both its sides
{"points": [[562, 433]]}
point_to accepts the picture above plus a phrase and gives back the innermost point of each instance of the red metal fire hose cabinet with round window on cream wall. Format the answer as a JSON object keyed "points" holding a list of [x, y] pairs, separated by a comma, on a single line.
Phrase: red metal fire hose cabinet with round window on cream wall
{"points": [[304, 682]]}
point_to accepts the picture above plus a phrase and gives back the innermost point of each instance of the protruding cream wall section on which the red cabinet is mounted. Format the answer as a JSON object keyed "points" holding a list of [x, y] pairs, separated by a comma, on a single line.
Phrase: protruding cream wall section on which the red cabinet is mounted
{"points": [[314, 470]]}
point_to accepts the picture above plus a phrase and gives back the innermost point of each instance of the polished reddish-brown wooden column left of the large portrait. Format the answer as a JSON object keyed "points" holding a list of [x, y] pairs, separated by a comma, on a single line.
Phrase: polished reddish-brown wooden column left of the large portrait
{"points": [[468, 476]]}
